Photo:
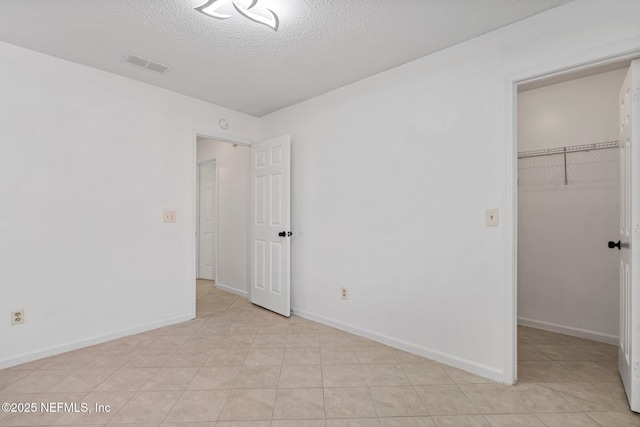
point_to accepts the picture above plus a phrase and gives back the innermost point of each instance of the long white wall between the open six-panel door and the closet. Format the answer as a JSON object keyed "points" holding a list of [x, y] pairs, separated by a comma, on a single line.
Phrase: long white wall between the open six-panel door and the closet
{"points": [[391, 176]]}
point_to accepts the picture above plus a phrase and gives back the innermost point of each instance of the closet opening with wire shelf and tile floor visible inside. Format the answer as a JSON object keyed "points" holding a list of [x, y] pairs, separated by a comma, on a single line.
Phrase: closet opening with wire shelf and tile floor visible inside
{"points": [[568, 211]]}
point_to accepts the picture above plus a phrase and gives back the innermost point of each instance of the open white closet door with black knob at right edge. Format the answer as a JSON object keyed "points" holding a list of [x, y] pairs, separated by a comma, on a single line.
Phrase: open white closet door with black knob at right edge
{"points": [[628, 351]]}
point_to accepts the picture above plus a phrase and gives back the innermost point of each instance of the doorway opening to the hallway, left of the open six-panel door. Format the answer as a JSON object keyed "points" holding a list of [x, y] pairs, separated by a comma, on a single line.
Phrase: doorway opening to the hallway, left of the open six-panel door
{"points": [[222, 224]]}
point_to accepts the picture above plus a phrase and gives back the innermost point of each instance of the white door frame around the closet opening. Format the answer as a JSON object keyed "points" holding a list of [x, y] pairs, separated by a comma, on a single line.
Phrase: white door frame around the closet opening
{"points": [[602, 56]]}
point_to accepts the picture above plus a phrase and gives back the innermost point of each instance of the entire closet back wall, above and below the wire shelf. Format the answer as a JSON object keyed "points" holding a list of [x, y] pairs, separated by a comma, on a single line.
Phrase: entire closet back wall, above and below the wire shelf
{"points": [[567, 277]]}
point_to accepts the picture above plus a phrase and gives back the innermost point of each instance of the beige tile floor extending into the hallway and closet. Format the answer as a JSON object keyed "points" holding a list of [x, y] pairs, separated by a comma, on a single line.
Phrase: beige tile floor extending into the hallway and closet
{"points": [[237, 365]]}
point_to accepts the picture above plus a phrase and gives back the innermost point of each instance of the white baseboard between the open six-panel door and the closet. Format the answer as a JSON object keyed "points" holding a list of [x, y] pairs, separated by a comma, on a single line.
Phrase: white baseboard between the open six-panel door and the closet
{"points": [[444, 358]]}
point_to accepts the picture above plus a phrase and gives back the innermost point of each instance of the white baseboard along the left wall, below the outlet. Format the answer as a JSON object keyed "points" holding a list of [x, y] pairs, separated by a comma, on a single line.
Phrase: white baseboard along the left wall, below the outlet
{"points": [[75, 345]]}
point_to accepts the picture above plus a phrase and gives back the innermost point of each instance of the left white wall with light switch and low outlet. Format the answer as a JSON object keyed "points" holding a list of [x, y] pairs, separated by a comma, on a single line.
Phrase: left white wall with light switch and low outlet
{"points": [[88, 161]]}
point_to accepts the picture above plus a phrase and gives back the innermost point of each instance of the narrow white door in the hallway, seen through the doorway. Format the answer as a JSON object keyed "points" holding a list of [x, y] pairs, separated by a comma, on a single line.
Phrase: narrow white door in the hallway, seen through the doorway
{"points": [[207, 222]]}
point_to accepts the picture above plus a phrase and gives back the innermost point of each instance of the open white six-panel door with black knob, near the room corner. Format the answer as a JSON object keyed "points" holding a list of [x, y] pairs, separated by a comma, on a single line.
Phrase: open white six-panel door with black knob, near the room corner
{"points": [[270, 215]]}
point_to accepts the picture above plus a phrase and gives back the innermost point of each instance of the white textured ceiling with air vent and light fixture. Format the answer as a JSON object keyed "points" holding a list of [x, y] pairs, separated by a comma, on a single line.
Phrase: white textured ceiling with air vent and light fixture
{"points": [[321, 44]]}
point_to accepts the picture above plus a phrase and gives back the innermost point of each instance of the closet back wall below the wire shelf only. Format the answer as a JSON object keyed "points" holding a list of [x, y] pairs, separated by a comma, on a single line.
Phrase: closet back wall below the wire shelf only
{"points": [[567, 277]]}
